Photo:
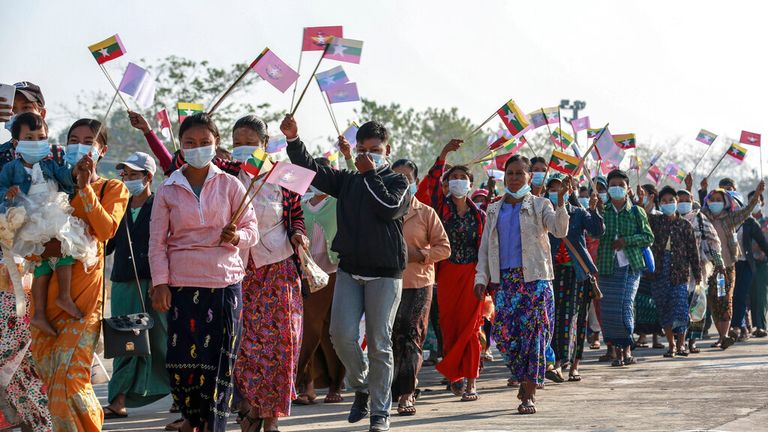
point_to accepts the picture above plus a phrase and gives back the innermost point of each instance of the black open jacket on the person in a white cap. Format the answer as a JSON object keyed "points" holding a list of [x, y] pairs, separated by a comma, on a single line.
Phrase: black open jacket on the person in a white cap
{"points": [[122, 270]]}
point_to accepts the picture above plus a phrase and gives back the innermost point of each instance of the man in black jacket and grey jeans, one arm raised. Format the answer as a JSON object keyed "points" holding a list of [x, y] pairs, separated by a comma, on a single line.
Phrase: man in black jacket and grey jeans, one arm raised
{"points": [[371, 204]]}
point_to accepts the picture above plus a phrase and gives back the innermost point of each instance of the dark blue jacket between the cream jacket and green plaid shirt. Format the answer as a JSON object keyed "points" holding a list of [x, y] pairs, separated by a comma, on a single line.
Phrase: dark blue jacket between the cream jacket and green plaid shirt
{"points": [[580, 220]]}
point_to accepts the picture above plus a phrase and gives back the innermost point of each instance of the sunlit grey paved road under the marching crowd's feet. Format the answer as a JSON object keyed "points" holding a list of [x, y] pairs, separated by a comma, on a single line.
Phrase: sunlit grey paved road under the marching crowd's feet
{"points": [[714, 390]]}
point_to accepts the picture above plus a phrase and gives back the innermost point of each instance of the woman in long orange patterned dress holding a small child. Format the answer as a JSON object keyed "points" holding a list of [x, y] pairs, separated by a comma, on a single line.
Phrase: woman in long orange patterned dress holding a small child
{"points": [[101, 204]]}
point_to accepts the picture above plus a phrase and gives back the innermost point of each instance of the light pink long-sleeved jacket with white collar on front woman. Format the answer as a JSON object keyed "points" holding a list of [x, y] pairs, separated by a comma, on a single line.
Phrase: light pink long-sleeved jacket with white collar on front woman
{"points": [[184, 249]]}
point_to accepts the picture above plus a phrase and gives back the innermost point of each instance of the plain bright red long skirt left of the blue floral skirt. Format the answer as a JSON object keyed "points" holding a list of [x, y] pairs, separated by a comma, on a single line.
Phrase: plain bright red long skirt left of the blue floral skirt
{"points": [[460, 321]]}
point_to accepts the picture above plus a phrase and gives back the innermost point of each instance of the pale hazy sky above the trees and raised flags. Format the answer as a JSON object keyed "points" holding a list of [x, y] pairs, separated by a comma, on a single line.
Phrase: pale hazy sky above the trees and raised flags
{"points": [[661, 69]]}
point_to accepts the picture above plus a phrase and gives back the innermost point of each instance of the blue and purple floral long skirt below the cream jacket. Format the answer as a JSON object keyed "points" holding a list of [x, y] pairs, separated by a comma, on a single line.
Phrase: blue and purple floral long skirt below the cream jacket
{"points": [[524, 324]]}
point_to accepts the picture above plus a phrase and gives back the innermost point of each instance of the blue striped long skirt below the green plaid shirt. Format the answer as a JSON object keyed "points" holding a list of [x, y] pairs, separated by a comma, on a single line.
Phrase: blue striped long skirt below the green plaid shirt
{"points": [[617, 308]]}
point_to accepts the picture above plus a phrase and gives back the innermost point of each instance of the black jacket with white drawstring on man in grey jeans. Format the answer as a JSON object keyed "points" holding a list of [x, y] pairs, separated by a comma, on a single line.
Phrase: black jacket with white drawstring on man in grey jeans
{"points": [[369, 212]]}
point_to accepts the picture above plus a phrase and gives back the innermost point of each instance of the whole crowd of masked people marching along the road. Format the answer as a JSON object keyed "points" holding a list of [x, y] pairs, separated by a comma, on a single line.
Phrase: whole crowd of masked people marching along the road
{"points": [[539, 266]]}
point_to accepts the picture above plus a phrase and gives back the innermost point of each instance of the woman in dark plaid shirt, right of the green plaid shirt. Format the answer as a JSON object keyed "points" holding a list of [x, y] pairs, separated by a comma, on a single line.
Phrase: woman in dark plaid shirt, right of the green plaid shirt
{"points": [[677, 262]]}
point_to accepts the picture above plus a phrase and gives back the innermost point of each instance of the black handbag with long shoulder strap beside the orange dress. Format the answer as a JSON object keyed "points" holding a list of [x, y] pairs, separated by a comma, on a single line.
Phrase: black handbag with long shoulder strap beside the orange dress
{"points": [[127, 335]]}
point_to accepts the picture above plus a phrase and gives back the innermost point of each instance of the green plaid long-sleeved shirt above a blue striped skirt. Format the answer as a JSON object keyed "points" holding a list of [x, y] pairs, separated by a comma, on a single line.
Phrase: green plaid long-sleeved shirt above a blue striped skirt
{"points": [[632, 226]]}
